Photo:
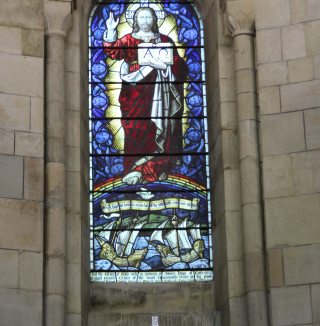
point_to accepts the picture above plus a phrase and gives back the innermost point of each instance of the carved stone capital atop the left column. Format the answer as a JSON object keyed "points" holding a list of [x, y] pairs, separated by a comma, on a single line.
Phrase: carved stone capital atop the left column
{"points": [[57, 16]]}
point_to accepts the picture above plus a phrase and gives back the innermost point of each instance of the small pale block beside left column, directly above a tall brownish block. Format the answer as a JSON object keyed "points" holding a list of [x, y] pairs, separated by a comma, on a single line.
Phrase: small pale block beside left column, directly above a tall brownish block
{"points": [[29, 144]]}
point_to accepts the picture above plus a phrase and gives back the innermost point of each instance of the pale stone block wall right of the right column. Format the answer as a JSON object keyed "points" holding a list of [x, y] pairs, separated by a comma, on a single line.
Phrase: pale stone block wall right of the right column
{"points": [[288, 56]]}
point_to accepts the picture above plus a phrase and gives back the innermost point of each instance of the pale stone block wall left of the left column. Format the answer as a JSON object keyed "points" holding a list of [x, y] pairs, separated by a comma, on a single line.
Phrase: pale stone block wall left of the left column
{"points": [[21, 162]]}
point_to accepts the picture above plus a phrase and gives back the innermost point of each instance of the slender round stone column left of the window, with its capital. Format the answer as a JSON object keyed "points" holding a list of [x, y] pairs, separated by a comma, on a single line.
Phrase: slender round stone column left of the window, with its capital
{"points": [[57, 18]]}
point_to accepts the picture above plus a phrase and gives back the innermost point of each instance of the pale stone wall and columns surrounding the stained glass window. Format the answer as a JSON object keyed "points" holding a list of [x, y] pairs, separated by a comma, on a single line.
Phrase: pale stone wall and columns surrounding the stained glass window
{"points": [[287, 64]]}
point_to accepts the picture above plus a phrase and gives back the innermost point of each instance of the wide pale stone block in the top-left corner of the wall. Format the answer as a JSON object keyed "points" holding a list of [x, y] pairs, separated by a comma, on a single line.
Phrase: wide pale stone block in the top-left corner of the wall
{"points": [[22, 13]]}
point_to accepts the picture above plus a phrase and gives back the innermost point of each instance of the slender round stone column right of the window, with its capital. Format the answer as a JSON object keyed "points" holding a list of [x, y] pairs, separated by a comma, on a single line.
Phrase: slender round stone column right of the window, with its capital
{"points": [[240, 21]]}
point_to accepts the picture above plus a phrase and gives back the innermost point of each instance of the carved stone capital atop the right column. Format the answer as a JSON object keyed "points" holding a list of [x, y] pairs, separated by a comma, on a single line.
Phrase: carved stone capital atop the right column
{"points": [[239, 18]]}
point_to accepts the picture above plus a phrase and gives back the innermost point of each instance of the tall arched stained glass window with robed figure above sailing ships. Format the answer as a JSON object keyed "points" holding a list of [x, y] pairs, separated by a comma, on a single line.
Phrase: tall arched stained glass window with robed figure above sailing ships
{"points": [[149, 175]]}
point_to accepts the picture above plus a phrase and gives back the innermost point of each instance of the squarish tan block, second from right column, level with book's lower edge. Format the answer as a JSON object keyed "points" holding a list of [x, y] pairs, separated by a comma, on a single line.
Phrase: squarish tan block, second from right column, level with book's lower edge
{"points": [[300, 70]]}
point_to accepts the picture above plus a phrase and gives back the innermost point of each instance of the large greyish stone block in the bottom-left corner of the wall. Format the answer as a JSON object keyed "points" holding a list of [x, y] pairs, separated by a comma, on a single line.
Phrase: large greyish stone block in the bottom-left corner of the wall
{"points": [[18, 307]]}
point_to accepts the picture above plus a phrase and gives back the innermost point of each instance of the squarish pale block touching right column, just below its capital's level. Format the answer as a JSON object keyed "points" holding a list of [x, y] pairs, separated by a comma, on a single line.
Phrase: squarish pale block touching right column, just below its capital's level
{"points": [[269, 45]]}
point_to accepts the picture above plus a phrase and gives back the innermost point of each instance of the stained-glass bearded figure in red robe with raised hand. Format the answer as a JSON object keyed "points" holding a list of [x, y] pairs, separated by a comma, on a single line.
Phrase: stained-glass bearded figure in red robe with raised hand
{"points": [[147, 91]]}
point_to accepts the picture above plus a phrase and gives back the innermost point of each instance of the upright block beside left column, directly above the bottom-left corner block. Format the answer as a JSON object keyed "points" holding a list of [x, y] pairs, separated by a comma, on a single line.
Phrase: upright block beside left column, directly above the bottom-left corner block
{"points": [[31, 270]]}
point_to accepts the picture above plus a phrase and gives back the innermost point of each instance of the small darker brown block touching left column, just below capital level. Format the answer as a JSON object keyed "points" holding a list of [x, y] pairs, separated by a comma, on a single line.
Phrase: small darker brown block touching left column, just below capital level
{"points": [[33, 42]]}
